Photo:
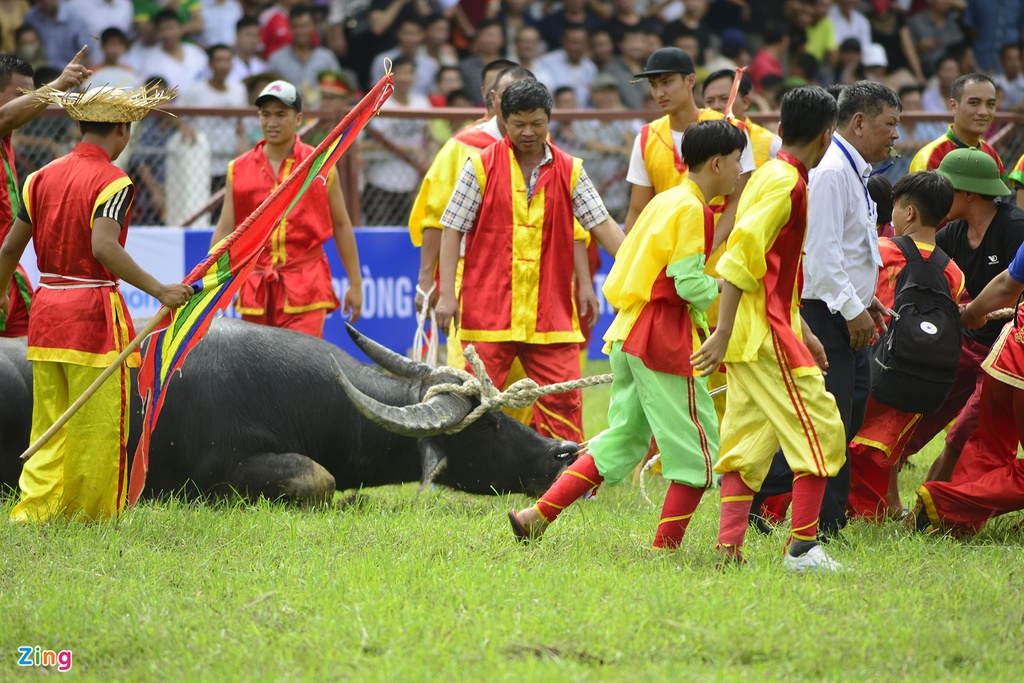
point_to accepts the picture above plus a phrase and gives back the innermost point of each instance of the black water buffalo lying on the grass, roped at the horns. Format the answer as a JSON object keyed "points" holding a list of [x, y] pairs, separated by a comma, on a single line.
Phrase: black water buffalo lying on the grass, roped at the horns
{"points": [[268, 412]]}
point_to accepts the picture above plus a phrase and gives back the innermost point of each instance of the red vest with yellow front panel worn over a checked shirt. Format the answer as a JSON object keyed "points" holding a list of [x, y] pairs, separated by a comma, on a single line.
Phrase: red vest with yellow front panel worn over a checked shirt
{"points": [[520, 254]]}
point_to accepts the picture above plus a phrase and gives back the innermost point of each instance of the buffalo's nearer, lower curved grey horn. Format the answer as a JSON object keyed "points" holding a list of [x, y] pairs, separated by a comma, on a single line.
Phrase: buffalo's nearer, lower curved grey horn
{"points": [[424, 419]]}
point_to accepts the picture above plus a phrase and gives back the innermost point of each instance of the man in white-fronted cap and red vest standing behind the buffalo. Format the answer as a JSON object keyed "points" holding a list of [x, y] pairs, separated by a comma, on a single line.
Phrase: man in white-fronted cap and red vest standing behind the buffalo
{"points": [[291, 286]]}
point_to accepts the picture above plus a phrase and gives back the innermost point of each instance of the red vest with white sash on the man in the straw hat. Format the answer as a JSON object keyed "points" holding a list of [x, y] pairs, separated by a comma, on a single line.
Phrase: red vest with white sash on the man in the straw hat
{"points": [[72, 323]]}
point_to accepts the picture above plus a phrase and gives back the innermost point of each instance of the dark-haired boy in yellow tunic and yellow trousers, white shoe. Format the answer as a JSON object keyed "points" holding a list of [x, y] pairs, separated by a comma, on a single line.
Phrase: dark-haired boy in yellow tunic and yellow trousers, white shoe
{"points": [[777, 392]]}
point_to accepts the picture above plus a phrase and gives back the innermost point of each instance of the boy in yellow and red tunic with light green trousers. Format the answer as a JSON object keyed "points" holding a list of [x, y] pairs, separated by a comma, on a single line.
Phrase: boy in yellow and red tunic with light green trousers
{"points": [[660, 288]]}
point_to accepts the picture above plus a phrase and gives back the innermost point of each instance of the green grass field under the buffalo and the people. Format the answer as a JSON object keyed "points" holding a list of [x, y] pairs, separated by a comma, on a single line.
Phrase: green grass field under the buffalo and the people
{"points": [[396, 586]]}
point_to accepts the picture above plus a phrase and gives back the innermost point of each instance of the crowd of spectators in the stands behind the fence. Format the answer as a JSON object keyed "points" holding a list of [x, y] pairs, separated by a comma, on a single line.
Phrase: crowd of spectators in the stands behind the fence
{"points": [[219, 54]]}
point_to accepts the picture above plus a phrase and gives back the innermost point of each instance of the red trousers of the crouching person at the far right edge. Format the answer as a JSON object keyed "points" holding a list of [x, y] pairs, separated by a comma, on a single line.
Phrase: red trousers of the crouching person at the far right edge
{"points": [[989, 480]]}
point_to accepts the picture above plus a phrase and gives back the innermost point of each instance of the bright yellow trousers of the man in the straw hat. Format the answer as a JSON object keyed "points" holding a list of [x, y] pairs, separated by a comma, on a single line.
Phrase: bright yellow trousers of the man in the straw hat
{"points": [[82, 473]]}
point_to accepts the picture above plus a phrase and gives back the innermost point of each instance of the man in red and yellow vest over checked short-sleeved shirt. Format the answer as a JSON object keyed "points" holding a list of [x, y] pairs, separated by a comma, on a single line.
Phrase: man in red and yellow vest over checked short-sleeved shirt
{"points": [[517, 201]]}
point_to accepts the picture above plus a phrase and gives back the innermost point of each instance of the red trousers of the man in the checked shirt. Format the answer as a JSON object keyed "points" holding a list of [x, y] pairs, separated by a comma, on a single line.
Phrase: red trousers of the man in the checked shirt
{"points": [[559, 415]]}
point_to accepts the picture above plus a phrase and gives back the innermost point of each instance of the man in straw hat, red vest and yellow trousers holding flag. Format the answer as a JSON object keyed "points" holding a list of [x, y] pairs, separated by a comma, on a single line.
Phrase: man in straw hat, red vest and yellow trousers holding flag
{"points": [[76, 211]]}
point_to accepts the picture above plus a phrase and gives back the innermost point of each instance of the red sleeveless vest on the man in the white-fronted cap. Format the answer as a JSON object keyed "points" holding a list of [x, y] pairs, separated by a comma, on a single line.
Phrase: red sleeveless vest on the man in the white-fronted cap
{"points": [[295, 253]]}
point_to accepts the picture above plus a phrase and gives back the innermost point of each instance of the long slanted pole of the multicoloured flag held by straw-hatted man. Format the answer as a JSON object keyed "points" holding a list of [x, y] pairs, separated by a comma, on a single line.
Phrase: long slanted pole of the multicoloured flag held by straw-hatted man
{"points": [[380, 94]]}
